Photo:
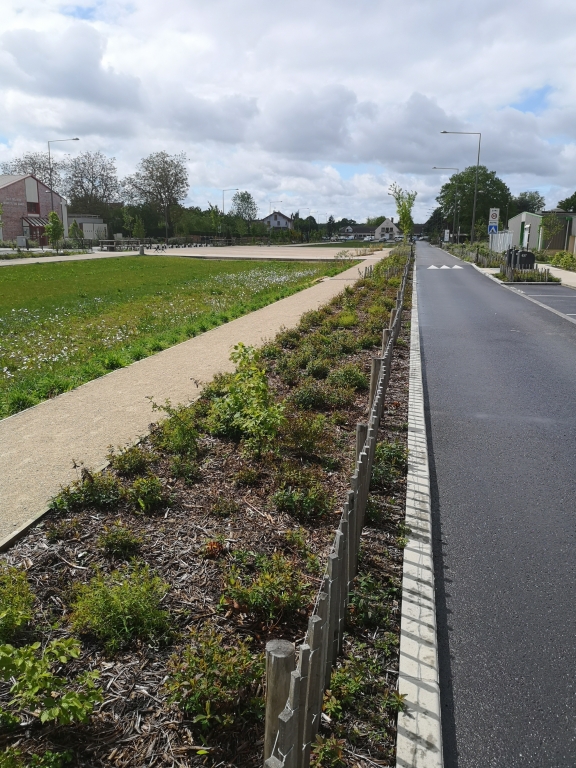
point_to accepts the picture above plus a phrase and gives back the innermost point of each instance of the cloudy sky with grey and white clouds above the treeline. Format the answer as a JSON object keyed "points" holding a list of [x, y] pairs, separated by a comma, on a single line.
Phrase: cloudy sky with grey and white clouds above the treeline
{"points": [[318, 104]]}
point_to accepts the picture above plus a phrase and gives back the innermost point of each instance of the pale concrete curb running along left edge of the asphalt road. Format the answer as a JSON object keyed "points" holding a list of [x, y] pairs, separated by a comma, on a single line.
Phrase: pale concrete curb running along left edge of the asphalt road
{"points": [[419, 740]]}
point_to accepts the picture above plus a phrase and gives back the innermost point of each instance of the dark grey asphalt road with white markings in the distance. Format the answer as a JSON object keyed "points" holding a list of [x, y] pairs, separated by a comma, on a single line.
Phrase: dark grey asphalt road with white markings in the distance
{"points": [[500, 383]]}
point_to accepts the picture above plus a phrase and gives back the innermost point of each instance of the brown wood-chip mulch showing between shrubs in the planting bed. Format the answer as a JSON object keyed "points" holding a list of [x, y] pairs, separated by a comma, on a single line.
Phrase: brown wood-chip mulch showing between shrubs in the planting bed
{"points": [[136, 725]]}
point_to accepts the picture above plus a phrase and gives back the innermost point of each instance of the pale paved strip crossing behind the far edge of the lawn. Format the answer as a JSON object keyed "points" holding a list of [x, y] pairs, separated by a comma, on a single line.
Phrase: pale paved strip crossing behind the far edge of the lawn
{"points": [[250, 252]]}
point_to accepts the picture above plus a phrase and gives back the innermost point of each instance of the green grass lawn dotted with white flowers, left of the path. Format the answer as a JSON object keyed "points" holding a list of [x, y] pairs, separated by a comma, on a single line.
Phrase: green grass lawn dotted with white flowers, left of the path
{"points": [[63, 324]]}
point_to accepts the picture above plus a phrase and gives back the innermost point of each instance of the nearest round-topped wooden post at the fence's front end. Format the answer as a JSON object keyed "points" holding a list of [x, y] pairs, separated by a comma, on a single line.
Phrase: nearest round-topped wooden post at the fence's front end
{"points": [[279, 664]]}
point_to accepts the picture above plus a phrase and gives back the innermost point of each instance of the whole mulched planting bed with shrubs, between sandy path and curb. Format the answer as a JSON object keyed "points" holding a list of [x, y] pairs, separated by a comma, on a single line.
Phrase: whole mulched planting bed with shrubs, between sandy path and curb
{"points": [[169, 572]]}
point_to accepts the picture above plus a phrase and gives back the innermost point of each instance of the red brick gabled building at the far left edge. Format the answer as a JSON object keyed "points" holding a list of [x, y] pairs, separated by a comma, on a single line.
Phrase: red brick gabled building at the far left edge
{"points": [[26, 203]]}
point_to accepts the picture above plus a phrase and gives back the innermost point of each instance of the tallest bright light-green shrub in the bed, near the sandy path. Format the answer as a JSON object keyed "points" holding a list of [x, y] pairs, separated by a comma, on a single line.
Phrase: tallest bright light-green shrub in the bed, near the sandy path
{"points": [[247, 411]]}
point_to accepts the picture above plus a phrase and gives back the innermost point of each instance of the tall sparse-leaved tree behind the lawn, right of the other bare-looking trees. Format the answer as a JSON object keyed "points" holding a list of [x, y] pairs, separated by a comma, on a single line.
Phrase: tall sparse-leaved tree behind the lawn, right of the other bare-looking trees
{"points": [[161, 180]]}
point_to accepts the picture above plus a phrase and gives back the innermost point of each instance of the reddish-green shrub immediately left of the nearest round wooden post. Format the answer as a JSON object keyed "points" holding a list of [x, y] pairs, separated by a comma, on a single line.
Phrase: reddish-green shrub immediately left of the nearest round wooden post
{"points": [[215, 680]]}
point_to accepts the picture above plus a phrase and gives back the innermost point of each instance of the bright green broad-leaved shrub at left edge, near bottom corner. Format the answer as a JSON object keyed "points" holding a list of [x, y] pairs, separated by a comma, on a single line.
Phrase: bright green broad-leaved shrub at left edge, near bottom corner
{"points": [[34, 687]]}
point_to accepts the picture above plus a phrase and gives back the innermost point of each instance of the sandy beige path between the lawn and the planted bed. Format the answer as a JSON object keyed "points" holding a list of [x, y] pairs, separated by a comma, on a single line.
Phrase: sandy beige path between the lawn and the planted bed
{"points": [[38, 446]]}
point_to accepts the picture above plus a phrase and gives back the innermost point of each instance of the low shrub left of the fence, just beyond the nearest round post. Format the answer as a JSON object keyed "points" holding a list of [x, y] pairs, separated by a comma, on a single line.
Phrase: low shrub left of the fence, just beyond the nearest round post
{"points": [[277, 589]]}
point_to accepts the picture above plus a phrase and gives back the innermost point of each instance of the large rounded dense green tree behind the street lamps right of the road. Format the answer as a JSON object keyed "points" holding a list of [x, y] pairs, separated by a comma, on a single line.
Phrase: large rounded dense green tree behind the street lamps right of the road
{"points": [[457, 195]]}
